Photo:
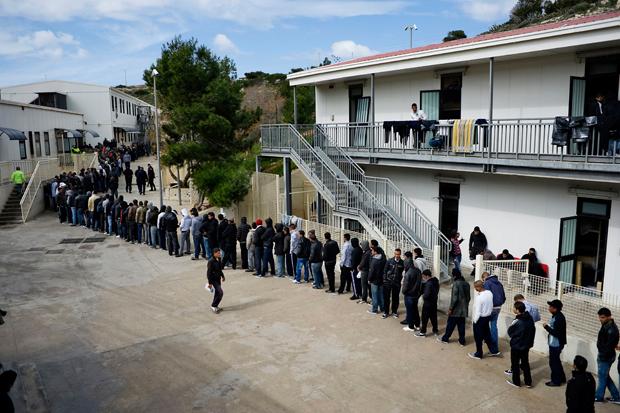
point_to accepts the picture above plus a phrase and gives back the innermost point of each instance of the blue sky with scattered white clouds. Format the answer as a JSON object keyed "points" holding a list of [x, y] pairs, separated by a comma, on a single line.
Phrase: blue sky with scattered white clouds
{"points": [[111, 42]]}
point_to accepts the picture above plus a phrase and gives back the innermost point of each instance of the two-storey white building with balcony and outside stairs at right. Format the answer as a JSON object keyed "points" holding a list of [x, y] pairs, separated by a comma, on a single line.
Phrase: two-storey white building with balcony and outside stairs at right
{"points": [[509, 178]]}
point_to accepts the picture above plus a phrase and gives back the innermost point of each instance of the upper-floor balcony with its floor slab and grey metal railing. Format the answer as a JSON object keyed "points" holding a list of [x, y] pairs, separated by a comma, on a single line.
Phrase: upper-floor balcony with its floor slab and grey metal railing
{"points": [[508, 146]]}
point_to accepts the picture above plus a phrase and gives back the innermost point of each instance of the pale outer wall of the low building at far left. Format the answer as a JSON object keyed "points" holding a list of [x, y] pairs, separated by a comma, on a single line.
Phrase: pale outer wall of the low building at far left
{"points": [[29, 118]]}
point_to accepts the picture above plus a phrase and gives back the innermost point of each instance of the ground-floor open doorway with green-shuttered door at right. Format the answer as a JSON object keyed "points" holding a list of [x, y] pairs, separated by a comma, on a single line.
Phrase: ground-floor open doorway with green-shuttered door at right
{"points": [[583, 244]]}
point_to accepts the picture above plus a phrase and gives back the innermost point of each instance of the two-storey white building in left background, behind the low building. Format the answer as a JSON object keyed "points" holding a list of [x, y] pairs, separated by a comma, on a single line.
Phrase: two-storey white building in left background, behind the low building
{"points": [[108, 112]]}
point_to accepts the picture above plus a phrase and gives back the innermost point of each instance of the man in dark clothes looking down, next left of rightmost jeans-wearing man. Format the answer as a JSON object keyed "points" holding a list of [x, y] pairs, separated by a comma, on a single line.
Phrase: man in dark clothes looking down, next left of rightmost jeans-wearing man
{"points": [[557, 340]]}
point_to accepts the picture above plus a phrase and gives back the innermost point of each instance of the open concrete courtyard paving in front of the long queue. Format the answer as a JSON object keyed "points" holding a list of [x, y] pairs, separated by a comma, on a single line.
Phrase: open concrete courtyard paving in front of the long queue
{"points": [[106, 326]]}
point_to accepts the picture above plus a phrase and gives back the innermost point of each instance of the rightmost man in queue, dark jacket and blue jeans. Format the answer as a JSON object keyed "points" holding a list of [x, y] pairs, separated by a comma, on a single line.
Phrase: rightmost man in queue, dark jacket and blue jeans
{"points": [[606, 344]]}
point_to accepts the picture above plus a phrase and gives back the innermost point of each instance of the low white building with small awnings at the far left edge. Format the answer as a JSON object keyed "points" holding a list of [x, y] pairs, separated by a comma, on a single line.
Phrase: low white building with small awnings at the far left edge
{"points": [[29, 132]]}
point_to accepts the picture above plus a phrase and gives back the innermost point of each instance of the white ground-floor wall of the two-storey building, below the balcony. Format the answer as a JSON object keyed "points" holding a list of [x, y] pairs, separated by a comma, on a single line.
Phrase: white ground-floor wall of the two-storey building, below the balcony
{"points": [[514, 212]]}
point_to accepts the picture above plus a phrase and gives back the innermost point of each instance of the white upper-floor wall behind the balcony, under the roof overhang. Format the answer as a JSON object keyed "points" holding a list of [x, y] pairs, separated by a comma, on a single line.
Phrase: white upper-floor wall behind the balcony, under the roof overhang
{"points": [[534, 88]]}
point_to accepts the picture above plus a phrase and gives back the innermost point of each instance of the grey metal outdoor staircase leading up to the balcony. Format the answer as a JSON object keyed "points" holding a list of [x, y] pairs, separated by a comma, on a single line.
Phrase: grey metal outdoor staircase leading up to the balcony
{"points": [[350, 192]]}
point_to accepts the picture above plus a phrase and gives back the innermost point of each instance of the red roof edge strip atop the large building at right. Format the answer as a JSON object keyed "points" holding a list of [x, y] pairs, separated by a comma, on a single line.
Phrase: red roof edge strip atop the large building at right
{"points": [[491, 36]]}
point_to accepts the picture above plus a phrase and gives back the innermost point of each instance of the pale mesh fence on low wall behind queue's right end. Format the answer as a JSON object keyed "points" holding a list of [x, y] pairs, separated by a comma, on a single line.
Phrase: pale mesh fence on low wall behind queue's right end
{"points": [[581, 304]]}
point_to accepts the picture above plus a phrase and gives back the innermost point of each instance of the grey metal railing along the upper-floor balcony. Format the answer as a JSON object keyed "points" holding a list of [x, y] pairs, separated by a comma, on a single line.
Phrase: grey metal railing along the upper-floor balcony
{"points": [[516, 139]]}
